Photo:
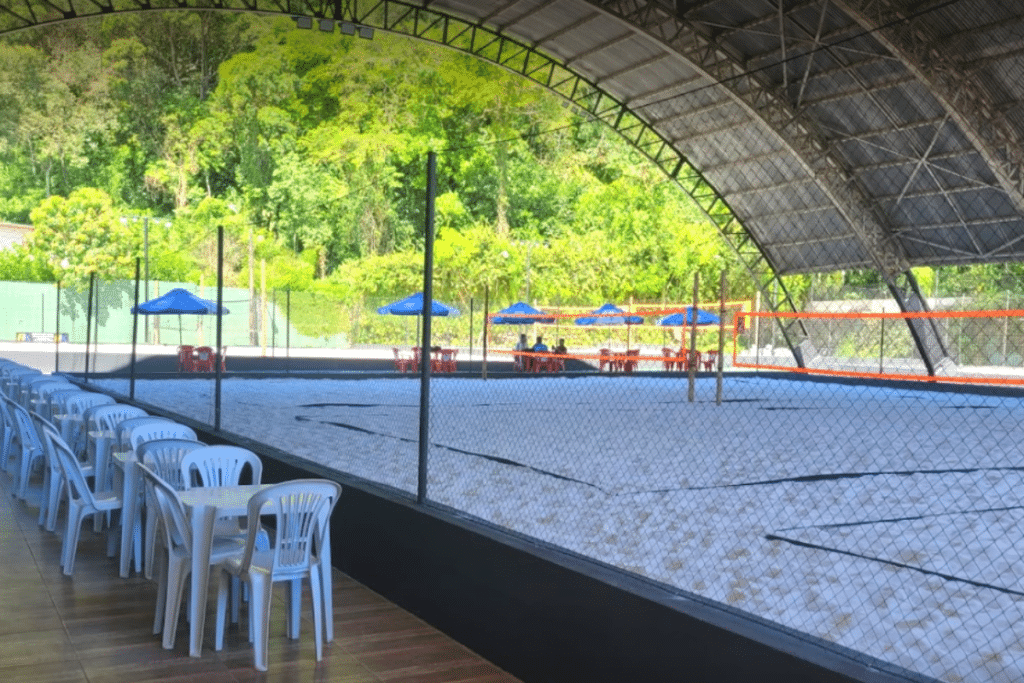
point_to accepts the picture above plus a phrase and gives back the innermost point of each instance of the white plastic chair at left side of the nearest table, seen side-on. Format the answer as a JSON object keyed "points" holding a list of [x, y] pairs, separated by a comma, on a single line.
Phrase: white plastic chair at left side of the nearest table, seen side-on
{"points": [[173, 574]]}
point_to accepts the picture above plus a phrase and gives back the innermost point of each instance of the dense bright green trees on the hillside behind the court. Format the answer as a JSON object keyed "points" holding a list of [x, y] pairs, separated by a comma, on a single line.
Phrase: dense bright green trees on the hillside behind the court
{"points": [[310, 150]]}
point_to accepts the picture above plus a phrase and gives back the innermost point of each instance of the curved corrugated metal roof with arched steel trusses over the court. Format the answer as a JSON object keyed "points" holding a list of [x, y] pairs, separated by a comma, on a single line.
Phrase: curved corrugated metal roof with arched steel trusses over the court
{"points": [[821, 135]]}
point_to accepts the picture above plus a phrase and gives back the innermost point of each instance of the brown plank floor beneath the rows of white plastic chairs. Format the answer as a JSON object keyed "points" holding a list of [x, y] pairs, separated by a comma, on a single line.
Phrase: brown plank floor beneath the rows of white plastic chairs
{"points": [[98, 628]]}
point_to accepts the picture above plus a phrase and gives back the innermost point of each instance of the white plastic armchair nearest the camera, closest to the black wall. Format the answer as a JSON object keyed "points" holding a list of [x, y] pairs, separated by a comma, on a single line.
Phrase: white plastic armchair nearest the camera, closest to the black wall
{"points": [[302, 510]]}
